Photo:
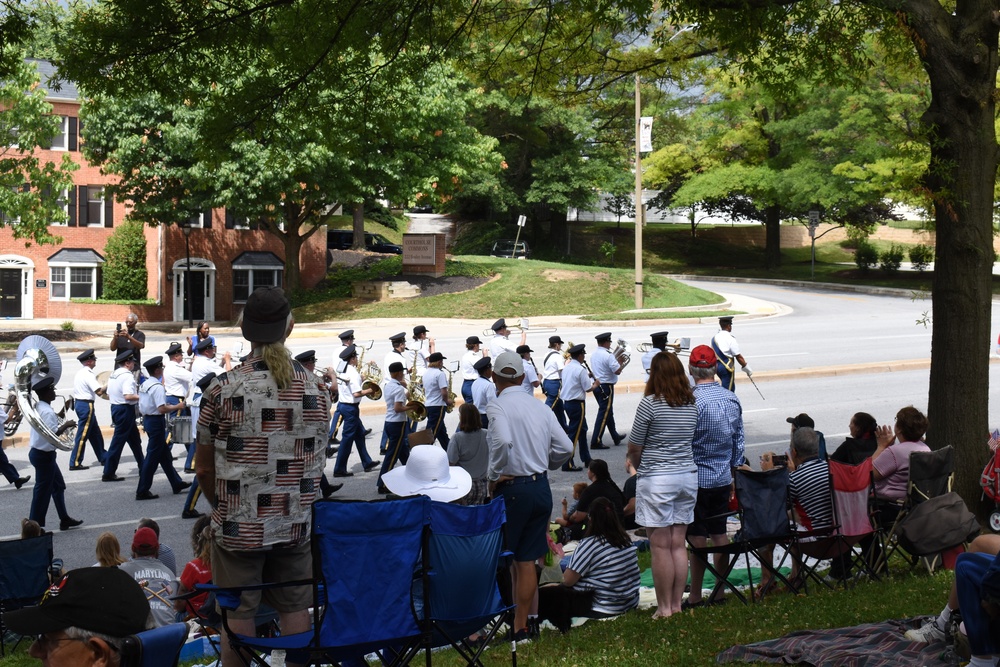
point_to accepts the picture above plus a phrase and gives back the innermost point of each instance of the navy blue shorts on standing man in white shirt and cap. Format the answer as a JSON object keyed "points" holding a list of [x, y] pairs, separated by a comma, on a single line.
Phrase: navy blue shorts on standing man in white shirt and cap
{"points": [[529, 506]]}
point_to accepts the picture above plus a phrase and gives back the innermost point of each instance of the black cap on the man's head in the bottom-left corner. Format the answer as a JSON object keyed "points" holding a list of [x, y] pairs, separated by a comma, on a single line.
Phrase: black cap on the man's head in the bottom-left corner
{"points": [[105, 600]]}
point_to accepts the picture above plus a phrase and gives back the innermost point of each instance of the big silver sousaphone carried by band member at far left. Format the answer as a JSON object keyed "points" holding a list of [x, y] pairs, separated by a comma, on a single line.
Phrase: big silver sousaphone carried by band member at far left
{"points": [[37, 358]]}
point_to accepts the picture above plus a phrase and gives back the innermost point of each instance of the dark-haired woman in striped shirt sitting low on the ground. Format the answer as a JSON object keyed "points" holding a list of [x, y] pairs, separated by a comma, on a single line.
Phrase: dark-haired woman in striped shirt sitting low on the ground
{"points": [[602, 579]]}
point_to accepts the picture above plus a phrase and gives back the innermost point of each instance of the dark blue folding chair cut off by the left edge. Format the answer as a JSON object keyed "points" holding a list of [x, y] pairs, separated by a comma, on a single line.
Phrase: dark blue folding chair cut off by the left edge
{"points": [[24, 575]]}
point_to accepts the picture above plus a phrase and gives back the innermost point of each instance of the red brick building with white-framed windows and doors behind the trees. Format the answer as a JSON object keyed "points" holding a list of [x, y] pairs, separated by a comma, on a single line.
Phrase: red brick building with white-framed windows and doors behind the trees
{"points": [[228, 259]]}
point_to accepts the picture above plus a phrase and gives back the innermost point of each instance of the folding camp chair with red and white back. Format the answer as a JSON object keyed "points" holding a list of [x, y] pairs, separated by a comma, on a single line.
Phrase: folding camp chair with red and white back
{"points": [[851, 492]]}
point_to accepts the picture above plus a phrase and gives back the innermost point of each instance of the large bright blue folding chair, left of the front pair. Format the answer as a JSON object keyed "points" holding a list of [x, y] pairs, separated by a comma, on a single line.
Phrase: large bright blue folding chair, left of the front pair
{"points": [[365, 555]]}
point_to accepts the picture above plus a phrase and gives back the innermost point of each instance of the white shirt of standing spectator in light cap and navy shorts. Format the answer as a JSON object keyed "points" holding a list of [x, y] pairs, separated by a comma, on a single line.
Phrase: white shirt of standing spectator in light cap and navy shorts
{"points": [[523, 436]]}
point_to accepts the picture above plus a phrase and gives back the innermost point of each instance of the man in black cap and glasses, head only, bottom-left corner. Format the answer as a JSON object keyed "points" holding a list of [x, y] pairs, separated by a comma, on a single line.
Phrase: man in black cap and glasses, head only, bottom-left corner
{"points": [[96, 608]]}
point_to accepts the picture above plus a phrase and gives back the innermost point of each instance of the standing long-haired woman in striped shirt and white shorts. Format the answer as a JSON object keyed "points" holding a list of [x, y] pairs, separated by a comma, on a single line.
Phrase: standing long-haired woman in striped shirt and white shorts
{"points": [[660, 449]]}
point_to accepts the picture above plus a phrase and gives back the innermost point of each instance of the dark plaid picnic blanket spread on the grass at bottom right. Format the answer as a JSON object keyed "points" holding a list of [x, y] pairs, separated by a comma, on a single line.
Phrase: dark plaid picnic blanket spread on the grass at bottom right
{"points": [[869, 645]]}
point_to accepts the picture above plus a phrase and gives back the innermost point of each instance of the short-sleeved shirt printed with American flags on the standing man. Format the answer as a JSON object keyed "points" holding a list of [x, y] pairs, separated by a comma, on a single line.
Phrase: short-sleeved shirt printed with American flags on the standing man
{"points": [[268, 454]]}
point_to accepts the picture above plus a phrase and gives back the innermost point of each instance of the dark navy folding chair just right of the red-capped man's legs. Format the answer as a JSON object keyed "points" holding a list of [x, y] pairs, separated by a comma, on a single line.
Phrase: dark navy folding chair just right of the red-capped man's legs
{"points": [[763, 512]]}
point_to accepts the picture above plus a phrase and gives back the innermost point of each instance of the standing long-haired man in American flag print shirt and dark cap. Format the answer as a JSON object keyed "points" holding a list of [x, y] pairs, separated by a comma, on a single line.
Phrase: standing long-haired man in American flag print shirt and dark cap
{"points": [[262, 436]]}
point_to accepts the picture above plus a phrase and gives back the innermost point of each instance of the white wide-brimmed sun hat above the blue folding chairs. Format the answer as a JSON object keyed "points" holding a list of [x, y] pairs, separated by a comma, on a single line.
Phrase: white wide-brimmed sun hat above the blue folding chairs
{"points": [[427, 473]]}
